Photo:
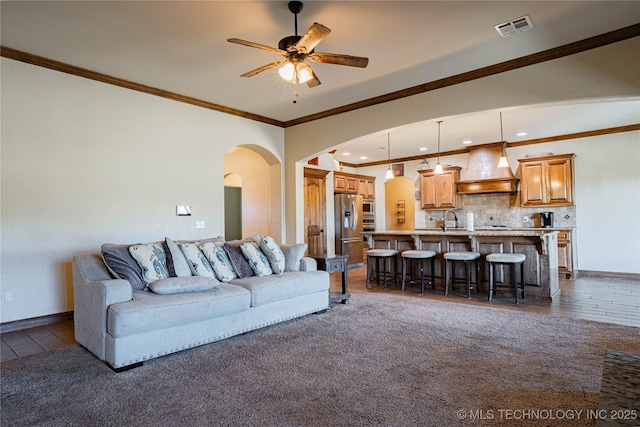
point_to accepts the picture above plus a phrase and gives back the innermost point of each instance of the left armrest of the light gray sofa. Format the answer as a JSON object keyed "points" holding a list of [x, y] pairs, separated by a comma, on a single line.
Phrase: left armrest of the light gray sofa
{"points": [[91, 302]]}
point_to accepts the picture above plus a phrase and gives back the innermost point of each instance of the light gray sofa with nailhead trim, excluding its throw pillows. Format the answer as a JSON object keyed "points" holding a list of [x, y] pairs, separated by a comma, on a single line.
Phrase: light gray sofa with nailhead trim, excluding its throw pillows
{"points": [[125, 327]]}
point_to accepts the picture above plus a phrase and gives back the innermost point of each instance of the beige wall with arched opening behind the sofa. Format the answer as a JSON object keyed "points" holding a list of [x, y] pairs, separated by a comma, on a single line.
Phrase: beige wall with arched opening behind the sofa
{"points": [[84, 163]]}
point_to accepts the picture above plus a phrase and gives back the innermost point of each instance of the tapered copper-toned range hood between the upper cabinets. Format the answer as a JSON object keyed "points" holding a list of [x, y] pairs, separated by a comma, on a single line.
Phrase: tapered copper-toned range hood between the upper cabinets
{"points": [[483, 175]]}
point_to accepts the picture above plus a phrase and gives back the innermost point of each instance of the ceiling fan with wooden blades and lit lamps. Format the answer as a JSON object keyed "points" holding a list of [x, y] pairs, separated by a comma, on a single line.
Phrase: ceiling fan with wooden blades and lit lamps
{"points": [[297, 49]]}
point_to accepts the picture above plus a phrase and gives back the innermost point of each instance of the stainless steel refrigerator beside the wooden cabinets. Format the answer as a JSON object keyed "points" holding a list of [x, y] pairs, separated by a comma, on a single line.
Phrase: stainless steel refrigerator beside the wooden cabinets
{"points": [[348, 223]]}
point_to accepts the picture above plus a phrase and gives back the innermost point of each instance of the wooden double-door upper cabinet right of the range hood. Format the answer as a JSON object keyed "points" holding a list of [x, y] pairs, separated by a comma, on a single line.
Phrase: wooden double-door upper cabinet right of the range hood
{"points": [[547, 181]]}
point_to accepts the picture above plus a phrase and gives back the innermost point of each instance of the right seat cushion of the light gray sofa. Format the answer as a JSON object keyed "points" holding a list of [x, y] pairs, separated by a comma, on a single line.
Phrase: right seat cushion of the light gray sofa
{"points": [[278, 287]]}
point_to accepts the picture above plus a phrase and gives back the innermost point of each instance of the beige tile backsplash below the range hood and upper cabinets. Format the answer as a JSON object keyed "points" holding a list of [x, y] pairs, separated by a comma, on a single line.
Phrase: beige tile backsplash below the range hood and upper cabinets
{"points": [[502, 209]]}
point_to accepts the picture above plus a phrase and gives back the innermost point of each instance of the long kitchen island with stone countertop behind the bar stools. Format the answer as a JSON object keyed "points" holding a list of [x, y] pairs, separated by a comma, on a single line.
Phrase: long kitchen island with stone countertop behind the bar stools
{"points": [[540, 245]]}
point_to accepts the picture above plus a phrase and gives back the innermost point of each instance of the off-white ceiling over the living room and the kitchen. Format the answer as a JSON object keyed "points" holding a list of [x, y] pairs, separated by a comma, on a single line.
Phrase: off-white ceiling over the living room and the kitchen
{"points": [[181, 47]]}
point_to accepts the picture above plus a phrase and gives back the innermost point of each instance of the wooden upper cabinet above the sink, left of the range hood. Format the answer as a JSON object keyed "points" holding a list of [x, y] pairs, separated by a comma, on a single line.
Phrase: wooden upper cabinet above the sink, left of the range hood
{"points": [[438, 191]]}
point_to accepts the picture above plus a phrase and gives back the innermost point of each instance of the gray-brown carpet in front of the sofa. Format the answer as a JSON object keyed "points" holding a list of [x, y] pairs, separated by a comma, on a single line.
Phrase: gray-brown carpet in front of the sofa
{"points": [[382, 360]]}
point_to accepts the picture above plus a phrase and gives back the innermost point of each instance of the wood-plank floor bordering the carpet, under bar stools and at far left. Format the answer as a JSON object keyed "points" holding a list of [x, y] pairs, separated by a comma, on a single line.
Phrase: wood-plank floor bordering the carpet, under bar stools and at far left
{"points": [[609, 300]]}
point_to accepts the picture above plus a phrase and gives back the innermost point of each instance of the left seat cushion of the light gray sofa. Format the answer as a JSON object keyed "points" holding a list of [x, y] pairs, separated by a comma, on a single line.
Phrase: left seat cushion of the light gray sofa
{"points": [[149, 312]]}
